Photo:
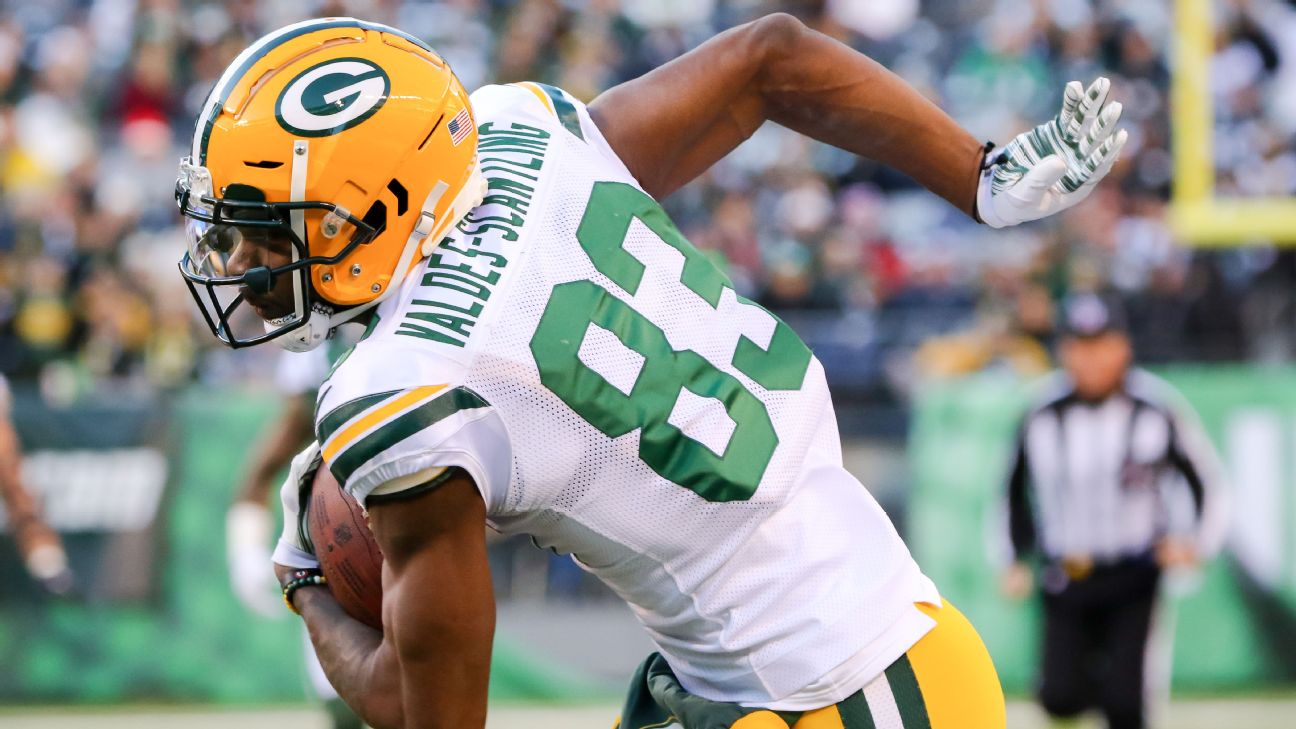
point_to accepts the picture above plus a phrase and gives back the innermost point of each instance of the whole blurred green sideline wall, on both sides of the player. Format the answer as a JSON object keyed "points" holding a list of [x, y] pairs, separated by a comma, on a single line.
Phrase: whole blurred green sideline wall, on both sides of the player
{"points": [[141, 492]]}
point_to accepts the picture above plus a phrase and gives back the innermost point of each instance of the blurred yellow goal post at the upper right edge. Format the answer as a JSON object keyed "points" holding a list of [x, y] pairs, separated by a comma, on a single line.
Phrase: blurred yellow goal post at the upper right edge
{"points": [[1197, 216]]}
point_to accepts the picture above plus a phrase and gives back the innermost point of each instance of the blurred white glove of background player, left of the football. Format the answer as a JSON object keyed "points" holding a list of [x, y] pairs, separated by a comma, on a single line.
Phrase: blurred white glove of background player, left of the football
{"points": [[248, 552]]}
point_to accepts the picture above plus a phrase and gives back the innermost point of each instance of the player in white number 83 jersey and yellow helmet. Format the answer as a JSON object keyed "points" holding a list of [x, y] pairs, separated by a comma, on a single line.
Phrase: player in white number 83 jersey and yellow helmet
{"points": [[549, 355]]}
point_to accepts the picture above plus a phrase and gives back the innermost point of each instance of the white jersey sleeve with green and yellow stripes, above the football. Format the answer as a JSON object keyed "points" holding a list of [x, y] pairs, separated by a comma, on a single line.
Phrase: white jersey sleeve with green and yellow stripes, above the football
{"points": [[388, 443]]}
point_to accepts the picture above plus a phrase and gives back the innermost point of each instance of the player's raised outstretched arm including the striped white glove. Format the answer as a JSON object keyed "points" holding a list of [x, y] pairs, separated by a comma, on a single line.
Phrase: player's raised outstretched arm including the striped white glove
{"points": [[673, 124]]}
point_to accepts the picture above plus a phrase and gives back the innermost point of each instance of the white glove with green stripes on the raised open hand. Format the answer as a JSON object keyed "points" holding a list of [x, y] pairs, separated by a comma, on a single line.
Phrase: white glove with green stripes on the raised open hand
{"points": [[1056, 165]]}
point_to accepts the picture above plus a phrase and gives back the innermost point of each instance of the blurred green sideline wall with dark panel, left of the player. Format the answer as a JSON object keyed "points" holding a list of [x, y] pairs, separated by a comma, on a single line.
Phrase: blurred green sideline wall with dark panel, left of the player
{"points": [[141, 494]]}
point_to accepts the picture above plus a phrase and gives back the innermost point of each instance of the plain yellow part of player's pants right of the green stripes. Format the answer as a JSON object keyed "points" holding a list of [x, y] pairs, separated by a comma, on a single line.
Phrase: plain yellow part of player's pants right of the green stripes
{"points": [[960, 686]]}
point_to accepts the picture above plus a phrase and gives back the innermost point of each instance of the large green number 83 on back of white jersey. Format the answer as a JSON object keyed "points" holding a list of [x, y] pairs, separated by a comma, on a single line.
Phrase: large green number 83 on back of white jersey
{"points": [[575, 307]]}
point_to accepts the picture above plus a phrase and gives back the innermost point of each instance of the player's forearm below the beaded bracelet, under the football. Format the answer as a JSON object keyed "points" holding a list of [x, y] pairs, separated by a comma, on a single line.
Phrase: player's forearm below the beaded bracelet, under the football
{"points": [[358, 663]]}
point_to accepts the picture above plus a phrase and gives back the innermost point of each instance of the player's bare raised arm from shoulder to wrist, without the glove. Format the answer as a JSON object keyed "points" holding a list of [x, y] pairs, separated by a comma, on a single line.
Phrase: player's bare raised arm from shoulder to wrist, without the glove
{"points": [[675, 123]]}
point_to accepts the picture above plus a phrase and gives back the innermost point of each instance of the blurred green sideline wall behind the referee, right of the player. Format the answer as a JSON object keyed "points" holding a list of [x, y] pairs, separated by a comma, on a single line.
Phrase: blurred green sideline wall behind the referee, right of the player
{"points": [[1236, 631]]}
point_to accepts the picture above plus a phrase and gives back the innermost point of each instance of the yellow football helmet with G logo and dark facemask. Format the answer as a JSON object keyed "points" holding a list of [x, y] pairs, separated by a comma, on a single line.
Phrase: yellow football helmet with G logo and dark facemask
{"points": [[351, 139]]}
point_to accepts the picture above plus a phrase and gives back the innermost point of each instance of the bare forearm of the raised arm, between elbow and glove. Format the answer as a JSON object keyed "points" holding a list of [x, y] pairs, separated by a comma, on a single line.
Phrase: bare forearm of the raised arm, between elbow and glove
{"points": [[830, 93]]}
